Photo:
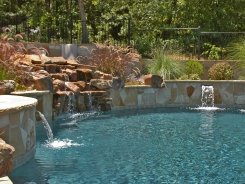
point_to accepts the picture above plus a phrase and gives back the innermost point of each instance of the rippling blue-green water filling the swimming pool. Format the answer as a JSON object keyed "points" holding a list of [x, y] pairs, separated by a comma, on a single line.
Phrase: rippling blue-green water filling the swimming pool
{"points": [[142, 146]]}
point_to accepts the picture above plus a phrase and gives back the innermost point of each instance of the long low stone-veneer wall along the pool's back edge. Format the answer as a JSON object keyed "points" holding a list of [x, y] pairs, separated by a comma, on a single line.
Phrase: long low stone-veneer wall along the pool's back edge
{"points": [[179, 94]]}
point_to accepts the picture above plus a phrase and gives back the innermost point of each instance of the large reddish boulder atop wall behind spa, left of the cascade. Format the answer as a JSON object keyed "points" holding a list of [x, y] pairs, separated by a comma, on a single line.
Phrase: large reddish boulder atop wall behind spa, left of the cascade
{"points": [[42, 82]]}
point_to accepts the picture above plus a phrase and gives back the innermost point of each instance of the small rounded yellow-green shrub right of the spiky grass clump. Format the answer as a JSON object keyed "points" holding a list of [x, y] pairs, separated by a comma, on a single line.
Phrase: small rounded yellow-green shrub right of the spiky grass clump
{"points": [[193, 67]]}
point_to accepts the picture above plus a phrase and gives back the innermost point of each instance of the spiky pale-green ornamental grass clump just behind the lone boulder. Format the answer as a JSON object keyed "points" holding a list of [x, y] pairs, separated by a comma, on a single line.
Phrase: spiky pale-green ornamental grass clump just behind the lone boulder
{"points": [[164, 65]]}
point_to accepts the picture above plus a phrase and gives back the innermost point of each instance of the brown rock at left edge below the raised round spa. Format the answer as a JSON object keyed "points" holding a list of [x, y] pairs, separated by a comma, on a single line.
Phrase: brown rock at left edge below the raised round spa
{"points": [[6, 155]]}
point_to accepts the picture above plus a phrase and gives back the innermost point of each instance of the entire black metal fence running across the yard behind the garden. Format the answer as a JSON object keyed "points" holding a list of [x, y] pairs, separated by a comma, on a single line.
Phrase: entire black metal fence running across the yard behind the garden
{"points": [[191, 43]]}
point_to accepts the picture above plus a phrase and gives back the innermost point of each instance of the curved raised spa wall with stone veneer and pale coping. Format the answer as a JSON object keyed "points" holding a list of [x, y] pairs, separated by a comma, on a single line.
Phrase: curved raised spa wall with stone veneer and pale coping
{"points": [[17, 124]]}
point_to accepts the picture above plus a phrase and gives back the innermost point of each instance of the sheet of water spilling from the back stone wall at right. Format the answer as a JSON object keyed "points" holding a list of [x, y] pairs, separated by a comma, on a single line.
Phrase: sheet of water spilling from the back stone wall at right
{"points": [[207, 96]]}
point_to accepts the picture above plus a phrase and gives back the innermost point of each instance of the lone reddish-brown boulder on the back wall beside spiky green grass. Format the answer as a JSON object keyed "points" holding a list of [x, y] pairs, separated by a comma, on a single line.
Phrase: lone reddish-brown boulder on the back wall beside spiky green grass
{"points": [[155, 81]]}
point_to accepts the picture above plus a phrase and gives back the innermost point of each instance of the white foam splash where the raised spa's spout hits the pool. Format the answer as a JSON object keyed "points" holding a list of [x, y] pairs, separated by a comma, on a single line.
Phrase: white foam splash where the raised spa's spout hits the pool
{"points": [[60, 144]]}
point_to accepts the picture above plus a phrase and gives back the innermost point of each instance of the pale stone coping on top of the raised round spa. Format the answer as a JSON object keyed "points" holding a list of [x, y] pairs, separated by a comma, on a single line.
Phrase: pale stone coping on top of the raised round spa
{"points": [[15, 103]]}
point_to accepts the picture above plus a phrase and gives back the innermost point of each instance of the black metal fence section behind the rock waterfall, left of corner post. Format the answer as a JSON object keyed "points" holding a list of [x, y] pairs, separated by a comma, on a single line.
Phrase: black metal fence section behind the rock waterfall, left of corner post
{"points": [[103, 31]]}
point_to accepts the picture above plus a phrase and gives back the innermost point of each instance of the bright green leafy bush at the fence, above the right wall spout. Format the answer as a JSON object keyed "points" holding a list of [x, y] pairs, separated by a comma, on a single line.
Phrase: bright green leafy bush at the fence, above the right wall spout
{"points": [[212, 52]]}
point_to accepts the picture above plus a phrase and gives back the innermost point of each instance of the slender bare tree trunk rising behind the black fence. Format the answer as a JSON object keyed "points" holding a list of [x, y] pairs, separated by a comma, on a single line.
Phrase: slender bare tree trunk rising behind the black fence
{"points": [[83, 22]]}
